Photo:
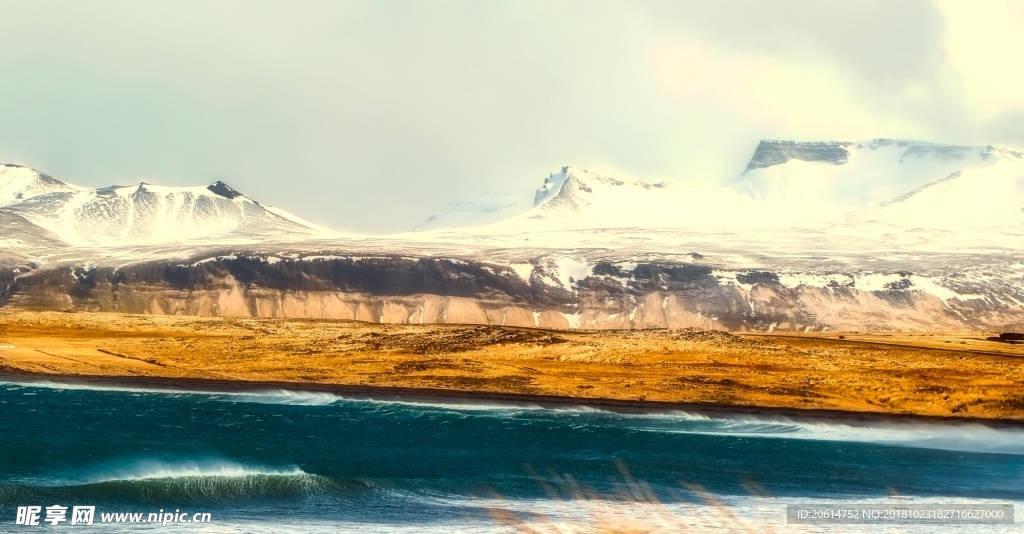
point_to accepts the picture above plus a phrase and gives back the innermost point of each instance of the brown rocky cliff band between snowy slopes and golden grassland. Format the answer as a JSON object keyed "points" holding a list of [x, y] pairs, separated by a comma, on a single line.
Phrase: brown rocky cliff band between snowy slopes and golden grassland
{"points": [[405, 291]]}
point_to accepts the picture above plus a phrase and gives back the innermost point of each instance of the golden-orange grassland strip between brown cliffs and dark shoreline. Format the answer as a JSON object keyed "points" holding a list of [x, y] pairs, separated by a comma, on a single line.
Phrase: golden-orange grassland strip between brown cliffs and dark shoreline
{"points": [[941, 375]]}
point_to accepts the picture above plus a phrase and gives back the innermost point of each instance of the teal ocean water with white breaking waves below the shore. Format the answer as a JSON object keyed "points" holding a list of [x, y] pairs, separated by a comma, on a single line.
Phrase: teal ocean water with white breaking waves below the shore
{"points": [[287, 462]]}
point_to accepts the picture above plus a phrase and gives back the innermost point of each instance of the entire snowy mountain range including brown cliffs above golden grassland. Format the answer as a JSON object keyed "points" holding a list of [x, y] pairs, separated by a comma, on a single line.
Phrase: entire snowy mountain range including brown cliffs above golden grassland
{"points": [[879, 235]]}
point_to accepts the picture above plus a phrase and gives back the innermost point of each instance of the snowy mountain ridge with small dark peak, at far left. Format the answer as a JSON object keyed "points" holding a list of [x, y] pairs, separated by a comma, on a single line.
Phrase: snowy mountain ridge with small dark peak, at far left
{"points": [[42, 211]]}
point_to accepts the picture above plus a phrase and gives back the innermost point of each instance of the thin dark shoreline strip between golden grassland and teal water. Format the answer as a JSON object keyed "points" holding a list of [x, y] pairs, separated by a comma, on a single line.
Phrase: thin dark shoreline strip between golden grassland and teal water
{"points": [[468, 397]]}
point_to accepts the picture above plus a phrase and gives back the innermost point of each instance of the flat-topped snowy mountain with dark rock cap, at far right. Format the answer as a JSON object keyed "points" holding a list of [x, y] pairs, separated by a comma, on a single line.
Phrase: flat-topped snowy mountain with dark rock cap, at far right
{"points": [[819, 182]]}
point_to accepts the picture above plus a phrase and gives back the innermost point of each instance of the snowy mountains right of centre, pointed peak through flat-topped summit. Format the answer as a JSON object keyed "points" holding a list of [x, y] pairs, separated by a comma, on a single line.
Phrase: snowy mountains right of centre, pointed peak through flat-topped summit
{"points": [[788, 185]]}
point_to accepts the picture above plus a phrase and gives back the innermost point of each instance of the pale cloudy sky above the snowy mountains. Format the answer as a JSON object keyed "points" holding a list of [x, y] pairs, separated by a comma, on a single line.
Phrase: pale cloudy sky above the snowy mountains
{"points": [[370, 116]]}
